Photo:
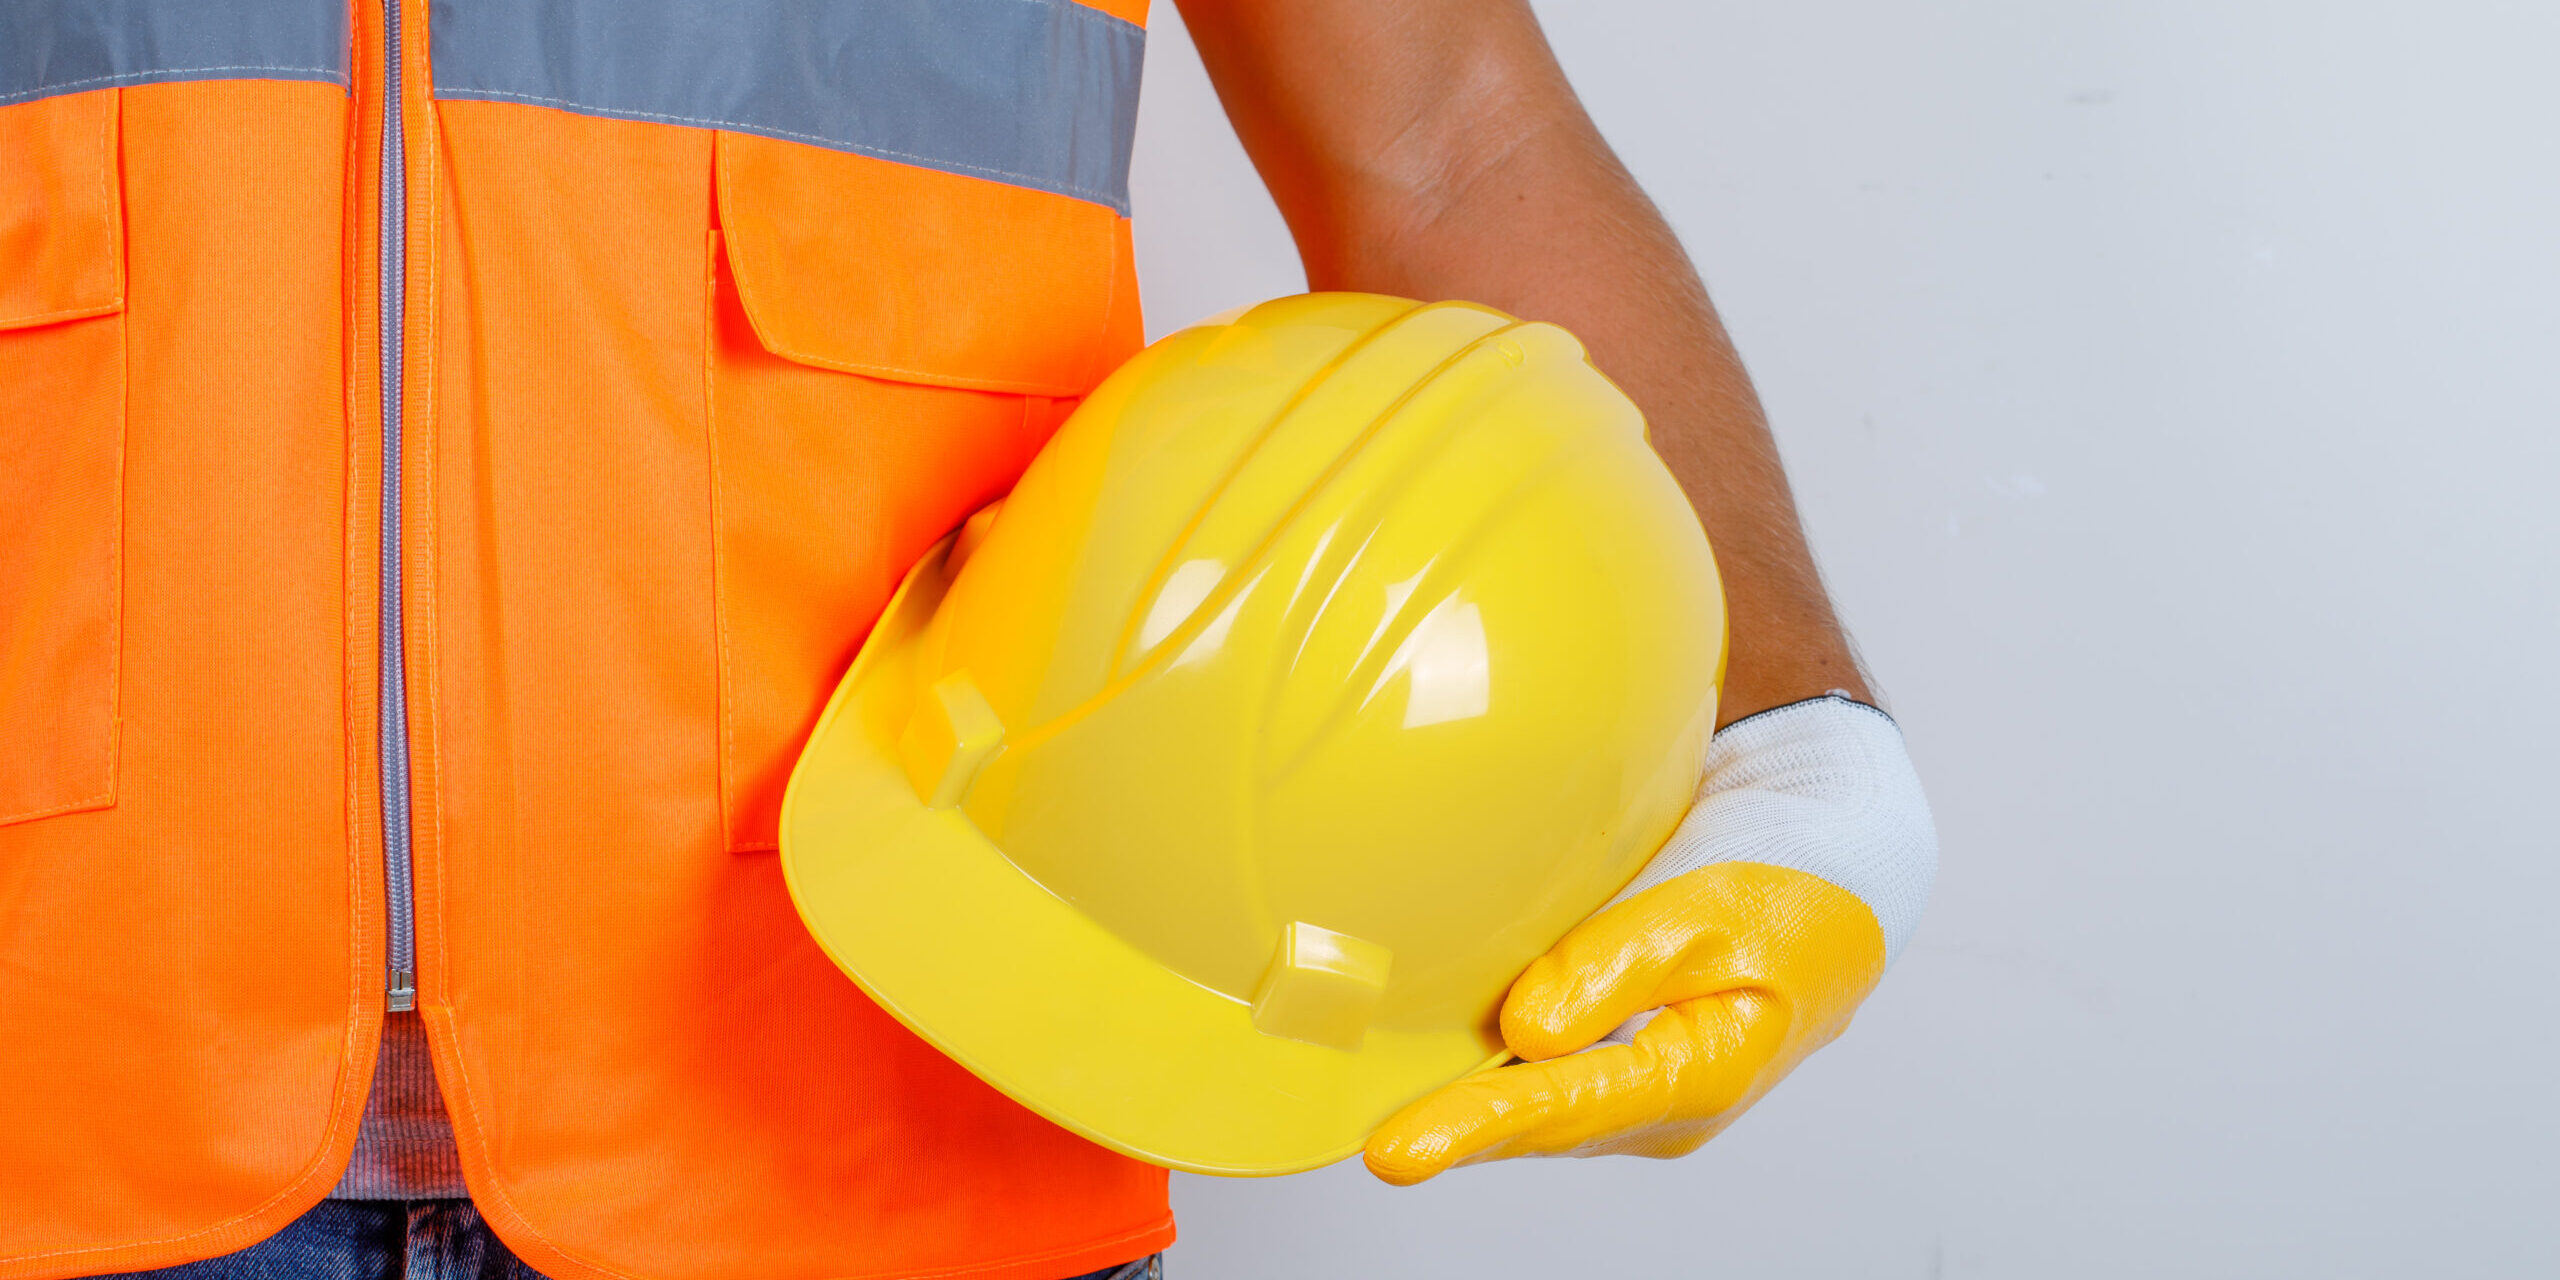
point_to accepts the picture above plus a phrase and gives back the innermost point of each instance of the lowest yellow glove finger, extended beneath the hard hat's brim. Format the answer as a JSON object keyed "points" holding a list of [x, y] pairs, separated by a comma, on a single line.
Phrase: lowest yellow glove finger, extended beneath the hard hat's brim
{"points": [[1517, 1110]]}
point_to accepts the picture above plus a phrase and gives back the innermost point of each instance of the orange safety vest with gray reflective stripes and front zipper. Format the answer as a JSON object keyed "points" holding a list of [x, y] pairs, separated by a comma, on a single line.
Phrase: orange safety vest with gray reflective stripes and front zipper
{"points": [[447, 454]]}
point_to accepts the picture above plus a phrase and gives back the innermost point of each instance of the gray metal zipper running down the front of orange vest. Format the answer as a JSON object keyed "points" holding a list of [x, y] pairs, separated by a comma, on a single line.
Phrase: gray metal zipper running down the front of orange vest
{"points": [[393, 234]]}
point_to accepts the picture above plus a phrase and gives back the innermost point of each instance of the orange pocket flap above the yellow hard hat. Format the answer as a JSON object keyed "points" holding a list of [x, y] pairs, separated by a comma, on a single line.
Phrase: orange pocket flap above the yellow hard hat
{"points": [[918, 275]]}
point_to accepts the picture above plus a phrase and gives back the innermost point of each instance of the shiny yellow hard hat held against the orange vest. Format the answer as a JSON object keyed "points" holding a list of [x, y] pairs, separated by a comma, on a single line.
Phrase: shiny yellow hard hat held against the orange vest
{"points": [[1322, 672]]}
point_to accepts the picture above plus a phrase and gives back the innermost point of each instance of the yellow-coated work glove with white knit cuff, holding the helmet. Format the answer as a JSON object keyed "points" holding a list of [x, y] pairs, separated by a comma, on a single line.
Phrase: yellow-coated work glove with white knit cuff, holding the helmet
{"points": [[1752, 966]]}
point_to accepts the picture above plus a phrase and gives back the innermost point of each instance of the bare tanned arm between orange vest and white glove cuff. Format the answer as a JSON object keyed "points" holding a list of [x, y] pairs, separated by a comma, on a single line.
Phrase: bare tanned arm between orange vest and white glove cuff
{"points": [[1443, 155]]}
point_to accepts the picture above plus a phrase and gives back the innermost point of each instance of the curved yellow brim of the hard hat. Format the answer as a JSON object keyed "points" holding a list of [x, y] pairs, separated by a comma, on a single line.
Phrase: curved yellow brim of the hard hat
{"points": [[1036, 997]]}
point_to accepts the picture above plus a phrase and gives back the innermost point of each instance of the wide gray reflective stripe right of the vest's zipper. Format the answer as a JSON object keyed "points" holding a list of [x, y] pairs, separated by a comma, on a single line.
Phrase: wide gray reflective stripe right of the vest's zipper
{"points": [[1038, 93]]}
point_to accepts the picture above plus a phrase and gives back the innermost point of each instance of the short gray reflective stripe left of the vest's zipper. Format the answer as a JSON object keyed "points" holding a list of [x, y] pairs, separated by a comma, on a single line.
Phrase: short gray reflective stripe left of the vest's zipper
{"points": [[52, 47]]}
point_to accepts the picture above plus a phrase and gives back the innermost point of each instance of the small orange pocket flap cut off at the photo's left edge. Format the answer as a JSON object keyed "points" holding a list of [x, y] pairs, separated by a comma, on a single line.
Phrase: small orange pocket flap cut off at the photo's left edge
{"points": [[60, 211]]}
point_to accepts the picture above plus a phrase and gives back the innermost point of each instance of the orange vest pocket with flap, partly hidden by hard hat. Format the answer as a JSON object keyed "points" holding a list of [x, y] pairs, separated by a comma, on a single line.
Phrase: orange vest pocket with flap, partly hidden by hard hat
{"points": [[890, 347]]}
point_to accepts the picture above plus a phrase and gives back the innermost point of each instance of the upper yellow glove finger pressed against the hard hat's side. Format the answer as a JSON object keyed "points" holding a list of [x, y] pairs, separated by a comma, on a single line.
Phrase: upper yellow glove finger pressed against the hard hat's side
{"points": [[1614, 966]]}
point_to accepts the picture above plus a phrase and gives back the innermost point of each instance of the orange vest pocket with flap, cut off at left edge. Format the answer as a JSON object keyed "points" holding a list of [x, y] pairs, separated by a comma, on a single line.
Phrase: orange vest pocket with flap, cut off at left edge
{"points": [[63, 431]]}
